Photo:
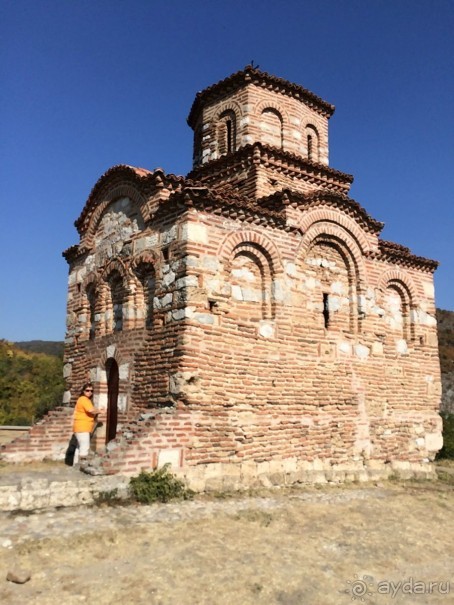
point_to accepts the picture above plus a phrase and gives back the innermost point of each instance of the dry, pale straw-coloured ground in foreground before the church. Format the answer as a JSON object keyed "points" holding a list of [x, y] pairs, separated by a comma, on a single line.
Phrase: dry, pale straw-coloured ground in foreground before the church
{"points": [[380, 544]]}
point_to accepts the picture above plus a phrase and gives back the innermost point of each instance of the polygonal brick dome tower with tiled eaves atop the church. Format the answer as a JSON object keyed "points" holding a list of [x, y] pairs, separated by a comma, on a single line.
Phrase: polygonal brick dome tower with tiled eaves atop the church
{"points": [[255, 131]]}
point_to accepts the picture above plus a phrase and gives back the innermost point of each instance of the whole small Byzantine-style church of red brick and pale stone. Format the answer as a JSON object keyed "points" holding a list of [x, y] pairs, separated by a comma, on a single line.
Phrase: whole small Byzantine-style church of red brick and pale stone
{"points": [[246, 323]]}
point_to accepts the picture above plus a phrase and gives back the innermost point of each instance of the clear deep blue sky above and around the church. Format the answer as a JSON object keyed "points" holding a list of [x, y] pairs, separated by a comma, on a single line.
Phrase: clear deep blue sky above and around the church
{"points": [[88, 84]]}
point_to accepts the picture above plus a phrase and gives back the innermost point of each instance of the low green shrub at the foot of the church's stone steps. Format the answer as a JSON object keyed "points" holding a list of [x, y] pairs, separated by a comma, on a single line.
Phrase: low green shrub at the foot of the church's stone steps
{"points": [[158, 486]]}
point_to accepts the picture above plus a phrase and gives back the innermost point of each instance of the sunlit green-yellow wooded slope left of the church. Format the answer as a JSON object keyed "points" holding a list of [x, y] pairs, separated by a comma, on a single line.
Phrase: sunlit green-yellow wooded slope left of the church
{"points": [[30, 384]]}
